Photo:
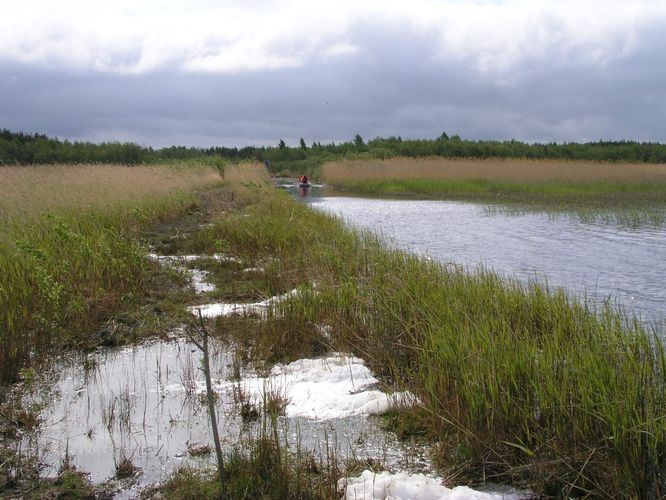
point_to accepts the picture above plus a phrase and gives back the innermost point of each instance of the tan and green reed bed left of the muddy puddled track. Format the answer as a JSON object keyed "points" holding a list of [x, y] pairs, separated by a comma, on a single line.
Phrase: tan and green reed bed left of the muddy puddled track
{"points": [[69, 253]]}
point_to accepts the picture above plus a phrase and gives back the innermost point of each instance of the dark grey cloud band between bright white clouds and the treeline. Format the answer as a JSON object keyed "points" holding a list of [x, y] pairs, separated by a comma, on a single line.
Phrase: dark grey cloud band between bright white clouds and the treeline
{"points": [[397, 84]]}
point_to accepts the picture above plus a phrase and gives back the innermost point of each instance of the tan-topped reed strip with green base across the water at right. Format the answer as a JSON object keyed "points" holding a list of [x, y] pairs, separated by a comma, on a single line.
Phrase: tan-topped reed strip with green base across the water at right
{"points": [[500, 178]]}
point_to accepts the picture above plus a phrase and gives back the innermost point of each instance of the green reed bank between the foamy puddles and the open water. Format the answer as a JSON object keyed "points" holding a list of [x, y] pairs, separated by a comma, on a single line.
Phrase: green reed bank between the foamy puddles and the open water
{"points": [[517, 382]]}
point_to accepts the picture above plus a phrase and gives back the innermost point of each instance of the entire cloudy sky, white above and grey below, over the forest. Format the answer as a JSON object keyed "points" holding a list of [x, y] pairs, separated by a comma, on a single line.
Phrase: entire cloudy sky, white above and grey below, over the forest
{"points": [[235, 73]]}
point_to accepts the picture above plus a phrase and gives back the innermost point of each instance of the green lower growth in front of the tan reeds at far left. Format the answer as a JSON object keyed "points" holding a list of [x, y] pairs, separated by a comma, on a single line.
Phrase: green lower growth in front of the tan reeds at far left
{"points": [[64, 271]]}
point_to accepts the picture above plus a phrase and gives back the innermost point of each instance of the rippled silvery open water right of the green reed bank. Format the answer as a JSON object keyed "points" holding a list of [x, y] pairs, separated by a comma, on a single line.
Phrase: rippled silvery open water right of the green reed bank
{"points": [[600, 261]]}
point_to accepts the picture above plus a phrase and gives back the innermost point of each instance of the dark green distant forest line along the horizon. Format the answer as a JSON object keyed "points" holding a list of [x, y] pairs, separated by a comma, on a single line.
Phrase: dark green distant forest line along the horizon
{"points": [[18, 148]]}
